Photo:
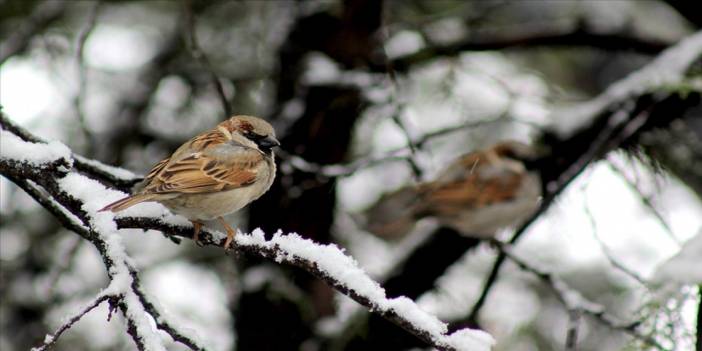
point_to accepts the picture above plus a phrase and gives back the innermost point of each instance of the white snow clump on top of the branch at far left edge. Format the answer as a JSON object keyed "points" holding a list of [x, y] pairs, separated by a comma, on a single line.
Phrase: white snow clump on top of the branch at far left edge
{"points": [[12, 147]]}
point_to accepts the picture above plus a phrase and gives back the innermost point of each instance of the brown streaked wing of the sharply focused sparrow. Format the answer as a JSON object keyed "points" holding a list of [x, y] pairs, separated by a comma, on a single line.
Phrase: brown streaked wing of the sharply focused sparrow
{"points": [[219, 165]]}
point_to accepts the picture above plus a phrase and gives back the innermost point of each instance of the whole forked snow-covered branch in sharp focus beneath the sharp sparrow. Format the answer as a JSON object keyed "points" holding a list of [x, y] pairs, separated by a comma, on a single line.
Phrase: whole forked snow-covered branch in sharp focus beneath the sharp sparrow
{"points": [[48, 174]]}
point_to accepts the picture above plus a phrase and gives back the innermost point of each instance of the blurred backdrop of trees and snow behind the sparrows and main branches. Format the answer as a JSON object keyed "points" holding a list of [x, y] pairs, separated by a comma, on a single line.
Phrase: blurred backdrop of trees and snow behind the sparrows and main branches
{"points": [[388, 91]]}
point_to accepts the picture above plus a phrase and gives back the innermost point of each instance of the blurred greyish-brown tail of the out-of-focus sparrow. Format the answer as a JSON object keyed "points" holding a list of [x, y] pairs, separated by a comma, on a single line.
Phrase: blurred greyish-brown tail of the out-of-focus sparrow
{"points": [[394, 215]]}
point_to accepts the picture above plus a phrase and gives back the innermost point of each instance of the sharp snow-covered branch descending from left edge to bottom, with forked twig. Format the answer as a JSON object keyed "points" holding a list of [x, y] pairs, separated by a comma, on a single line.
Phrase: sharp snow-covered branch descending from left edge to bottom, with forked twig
{"points": [[45, 171]]}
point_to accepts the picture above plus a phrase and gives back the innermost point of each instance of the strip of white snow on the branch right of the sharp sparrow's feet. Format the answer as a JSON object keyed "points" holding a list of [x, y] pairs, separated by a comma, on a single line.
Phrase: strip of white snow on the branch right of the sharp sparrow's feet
{"points": [[345, 270]]}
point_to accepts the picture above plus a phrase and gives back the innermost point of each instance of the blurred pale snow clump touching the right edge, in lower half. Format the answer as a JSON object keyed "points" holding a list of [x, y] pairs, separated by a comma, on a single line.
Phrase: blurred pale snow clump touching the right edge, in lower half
{"points": [[685, 267]]}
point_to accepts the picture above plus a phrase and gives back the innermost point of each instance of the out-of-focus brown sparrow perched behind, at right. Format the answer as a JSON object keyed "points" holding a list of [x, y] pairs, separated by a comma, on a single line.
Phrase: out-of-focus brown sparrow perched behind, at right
{"points": [[477, 194]]}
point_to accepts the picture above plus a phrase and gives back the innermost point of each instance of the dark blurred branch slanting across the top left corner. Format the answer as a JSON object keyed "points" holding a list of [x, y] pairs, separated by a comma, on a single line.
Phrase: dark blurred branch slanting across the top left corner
{"points": [[44, 14]]}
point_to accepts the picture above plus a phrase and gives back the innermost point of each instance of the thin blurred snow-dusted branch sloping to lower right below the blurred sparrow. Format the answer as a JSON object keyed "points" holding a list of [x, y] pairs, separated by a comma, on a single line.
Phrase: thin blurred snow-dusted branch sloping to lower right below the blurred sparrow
{"points": [[573, 301]]}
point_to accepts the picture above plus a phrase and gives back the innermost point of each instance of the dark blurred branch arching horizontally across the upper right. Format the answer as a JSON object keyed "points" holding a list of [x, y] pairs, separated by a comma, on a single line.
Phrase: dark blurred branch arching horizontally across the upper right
{"points": [[534, 35]]}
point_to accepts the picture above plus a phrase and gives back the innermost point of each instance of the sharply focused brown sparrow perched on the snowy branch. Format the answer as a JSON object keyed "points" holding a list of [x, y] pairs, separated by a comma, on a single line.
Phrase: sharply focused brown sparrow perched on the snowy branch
{"points": [[213, 174]]}
